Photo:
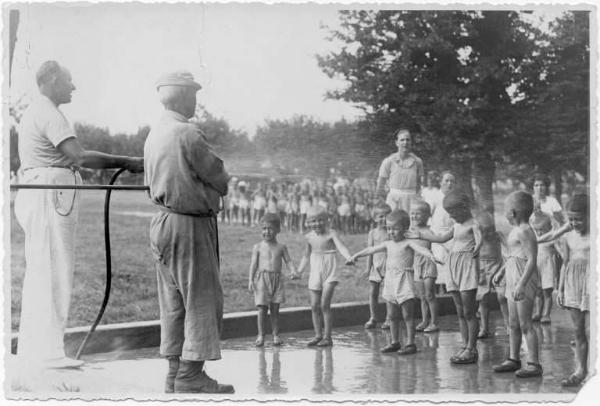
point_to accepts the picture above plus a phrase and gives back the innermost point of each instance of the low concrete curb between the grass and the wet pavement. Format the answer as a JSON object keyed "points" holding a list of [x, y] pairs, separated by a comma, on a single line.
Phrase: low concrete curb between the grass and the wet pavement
{"points": [[143, 334]]}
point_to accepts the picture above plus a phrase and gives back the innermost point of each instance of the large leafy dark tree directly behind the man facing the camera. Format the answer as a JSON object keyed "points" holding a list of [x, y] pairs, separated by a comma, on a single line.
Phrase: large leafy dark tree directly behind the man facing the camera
{"points": [[449, 76]]}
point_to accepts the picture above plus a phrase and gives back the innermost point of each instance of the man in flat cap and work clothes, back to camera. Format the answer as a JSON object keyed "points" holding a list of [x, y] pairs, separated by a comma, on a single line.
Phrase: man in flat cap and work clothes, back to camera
{"points": [[186, 181]]}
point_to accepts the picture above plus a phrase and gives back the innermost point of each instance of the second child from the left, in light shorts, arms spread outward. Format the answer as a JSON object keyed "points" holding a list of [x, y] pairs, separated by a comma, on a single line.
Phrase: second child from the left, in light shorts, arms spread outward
{"points": [[322, 244]]}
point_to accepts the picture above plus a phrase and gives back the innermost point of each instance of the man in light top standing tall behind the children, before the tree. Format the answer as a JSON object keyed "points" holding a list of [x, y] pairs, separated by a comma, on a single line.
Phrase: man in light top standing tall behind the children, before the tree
{"points": [[403, 172]]}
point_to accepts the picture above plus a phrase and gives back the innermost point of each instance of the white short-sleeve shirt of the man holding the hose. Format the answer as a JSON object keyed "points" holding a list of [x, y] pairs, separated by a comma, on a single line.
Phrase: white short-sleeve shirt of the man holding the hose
{"points": [[43, 127]]}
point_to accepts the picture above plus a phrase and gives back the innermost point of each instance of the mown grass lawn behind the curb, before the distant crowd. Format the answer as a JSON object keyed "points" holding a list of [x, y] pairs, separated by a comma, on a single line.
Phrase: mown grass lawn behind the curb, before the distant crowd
{"points": [[133, 294]]}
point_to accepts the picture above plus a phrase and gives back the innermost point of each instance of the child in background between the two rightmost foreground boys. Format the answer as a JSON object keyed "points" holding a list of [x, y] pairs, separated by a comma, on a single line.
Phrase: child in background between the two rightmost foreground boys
{"points": [[547, 264]]}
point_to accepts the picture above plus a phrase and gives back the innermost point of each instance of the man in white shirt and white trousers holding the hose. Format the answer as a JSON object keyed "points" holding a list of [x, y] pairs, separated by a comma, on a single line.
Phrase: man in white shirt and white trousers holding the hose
{"points": [[51, 154]]}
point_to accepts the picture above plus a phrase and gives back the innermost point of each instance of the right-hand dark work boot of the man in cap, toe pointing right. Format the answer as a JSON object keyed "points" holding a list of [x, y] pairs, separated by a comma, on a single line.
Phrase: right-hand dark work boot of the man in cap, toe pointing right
{"points": [[191, 378]]}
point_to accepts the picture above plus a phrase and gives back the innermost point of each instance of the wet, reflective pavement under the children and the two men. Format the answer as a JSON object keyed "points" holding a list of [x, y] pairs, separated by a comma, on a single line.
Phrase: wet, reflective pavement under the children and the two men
{"points": [[351, 369]]}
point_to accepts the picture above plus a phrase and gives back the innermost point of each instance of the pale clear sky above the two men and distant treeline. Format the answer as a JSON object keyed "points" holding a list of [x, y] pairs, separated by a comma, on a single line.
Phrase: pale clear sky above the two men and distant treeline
{"points": [[255, 61]]}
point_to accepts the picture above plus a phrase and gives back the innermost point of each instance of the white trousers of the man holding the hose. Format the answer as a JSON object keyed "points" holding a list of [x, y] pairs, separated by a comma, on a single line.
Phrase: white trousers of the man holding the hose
{"points": [[49, 219]]}
